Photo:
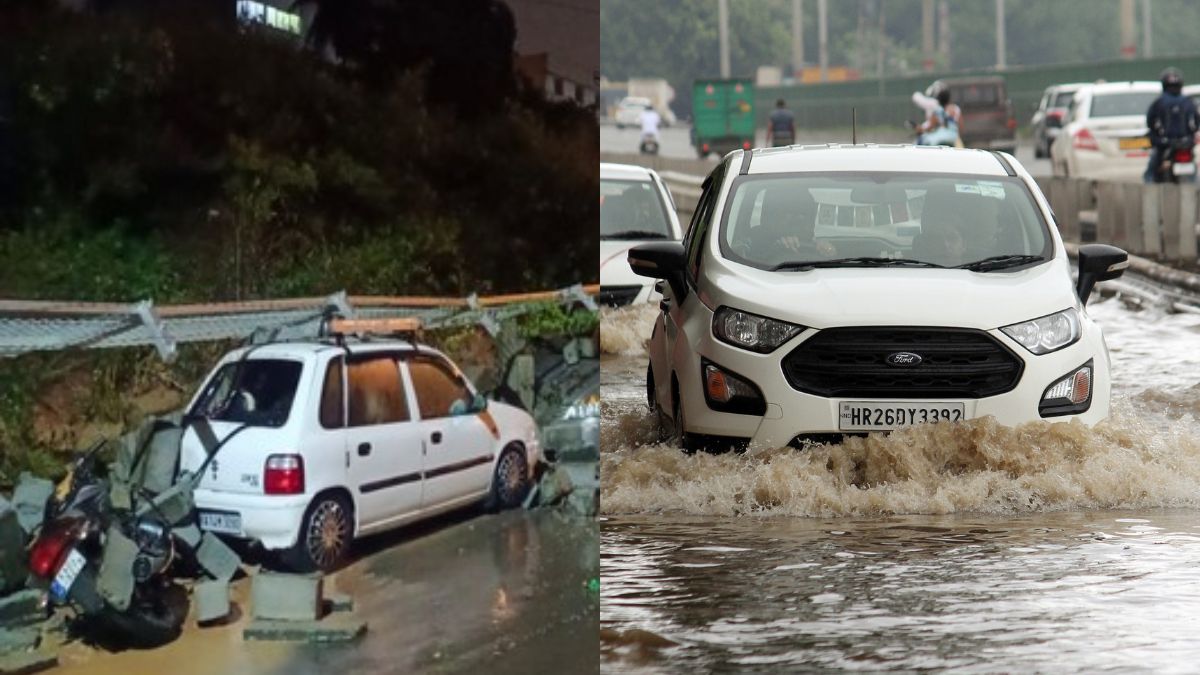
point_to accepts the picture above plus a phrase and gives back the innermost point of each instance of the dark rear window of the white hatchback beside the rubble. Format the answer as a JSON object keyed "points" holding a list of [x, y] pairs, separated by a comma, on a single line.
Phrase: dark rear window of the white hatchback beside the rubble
{"points": [[256, 392]]}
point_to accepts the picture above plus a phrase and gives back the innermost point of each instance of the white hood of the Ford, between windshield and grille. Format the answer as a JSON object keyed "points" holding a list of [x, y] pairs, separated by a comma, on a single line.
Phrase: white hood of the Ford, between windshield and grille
{"points": [[827, 298]]}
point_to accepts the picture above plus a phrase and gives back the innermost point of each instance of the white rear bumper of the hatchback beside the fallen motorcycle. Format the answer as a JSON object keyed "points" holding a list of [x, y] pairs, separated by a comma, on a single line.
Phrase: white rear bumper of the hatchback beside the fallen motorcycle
{"points": [[274, 521]]}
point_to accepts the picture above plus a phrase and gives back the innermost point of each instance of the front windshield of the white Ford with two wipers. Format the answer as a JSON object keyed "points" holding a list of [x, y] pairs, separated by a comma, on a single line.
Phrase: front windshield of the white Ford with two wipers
{"points": [[843, 220]]}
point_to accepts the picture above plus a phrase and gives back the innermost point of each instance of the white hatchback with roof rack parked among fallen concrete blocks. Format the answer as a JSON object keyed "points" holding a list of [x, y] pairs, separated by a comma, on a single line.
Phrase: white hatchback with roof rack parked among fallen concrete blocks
{"points": [[319, 444]]}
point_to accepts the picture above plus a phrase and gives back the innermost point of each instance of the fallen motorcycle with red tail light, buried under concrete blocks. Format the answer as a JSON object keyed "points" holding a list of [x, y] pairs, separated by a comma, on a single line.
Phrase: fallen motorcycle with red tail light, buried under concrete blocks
{"points": [[70, 555]]}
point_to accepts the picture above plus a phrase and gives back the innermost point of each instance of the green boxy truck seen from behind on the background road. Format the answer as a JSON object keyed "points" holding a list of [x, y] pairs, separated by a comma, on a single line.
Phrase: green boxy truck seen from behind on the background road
{"points": [[722, 116]]}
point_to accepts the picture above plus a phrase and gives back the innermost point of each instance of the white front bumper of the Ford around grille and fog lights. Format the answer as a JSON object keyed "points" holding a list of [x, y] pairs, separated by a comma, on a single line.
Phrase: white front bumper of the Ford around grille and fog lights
{"points": [[791, 414]]}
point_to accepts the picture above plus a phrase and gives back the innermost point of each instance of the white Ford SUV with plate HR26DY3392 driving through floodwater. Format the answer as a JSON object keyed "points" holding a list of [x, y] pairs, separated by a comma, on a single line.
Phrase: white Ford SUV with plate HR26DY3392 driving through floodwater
{"points": [[825, 291]]}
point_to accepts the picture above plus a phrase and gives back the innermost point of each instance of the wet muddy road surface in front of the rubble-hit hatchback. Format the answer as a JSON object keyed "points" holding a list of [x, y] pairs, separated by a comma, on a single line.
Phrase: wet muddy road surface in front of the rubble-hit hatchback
{"points": [[465, 594]]}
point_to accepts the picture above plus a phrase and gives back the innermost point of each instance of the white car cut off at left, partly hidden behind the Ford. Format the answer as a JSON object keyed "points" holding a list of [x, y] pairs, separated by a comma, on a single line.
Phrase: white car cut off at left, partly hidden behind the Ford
{"points": [[635, 207]]}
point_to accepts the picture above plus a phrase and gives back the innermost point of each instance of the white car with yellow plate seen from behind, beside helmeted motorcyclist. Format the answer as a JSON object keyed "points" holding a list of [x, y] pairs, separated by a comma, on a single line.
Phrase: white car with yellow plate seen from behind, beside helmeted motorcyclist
{"points": [[1106, 135]]}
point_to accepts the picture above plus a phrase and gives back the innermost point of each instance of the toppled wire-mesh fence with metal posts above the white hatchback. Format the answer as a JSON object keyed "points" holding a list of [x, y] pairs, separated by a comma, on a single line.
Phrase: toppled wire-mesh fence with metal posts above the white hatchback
{"points": [[31, 326]]}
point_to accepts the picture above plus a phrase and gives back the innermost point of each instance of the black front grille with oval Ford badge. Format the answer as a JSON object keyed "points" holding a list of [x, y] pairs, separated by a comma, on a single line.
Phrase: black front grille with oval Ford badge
{"points": [[851, 363]]}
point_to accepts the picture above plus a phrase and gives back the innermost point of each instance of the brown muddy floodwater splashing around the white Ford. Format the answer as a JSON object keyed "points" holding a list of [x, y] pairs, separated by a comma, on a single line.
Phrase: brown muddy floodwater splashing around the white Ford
{"points": [[971, 547]]}
